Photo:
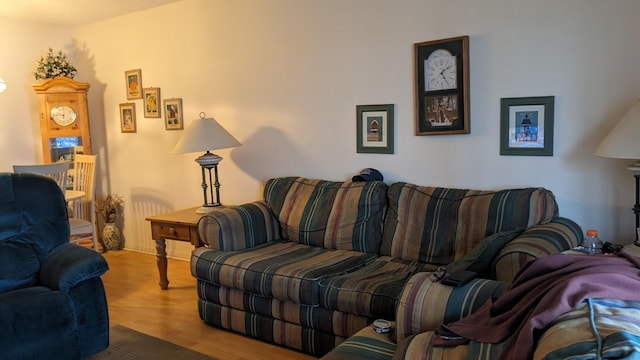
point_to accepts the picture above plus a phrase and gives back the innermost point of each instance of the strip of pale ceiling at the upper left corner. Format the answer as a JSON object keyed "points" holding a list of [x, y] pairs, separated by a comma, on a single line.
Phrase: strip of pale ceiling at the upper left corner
{"points": [[73, 12]]}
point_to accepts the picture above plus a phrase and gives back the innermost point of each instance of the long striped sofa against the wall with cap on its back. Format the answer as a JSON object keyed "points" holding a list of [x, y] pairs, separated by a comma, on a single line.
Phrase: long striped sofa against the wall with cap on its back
{"points": [[316, 261]]}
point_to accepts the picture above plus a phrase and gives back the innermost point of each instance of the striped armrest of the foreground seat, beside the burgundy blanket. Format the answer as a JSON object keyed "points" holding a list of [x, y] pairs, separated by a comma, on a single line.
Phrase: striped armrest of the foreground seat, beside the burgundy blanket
{"points": [[424, 304]]}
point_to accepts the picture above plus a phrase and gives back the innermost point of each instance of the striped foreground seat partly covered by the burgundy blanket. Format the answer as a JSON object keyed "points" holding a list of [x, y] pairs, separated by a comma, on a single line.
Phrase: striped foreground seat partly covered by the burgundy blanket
{"points": [[595, 329]]}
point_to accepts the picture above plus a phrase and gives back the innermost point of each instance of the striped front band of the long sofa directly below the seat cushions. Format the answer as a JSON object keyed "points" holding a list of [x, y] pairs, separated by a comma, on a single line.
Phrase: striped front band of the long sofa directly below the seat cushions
{"points": [[307, 316]]}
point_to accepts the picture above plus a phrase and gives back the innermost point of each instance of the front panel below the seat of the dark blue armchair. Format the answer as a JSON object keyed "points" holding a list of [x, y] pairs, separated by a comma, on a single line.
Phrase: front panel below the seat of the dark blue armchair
{"points": [[35, 312]]}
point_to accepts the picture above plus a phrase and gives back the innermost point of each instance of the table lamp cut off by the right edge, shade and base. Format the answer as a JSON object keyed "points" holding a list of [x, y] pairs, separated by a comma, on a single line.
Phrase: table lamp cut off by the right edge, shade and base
{"points": [[623, 143]]}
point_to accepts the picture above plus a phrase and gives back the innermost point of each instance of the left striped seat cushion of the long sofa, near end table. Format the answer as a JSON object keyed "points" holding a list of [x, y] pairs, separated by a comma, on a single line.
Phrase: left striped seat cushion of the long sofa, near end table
{"points": [[284, 270]]}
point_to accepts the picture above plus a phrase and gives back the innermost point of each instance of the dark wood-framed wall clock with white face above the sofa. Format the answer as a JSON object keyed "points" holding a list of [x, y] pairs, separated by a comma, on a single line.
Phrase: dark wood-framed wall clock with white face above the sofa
{"points": [[442, 86]]}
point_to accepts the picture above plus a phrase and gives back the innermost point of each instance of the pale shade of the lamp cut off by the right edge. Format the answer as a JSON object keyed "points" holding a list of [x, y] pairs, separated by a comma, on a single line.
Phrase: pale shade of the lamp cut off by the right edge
{"points": [[623, 142]]}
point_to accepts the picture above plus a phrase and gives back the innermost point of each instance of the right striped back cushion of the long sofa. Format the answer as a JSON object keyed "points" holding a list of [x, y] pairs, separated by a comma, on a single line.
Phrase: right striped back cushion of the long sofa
{"points": [[440, 225]]}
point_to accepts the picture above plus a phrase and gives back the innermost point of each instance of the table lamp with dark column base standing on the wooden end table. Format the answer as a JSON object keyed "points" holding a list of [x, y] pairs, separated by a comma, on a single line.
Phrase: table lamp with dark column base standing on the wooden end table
{"points": [[205, 134]]}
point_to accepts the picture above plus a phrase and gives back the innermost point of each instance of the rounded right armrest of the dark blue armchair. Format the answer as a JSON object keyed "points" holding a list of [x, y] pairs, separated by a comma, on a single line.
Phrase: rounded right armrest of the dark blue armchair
{"points": [[69, 264]]}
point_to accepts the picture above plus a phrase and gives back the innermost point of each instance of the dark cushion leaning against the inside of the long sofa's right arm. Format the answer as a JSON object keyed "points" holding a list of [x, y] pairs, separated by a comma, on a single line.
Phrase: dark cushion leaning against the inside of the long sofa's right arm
{"points": [[480, 258]]}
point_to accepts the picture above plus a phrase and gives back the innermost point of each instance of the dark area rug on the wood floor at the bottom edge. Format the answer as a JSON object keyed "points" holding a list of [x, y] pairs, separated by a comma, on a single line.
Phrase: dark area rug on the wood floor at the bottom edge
{"points": [[125, 343]]}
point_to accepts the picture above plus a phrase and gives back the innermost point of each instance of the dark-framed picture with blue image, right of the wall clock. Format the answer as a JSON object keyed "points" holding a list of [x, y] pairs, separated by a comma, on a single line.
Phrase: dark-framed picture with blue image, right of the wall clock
{"points": [[526, 126]]}
